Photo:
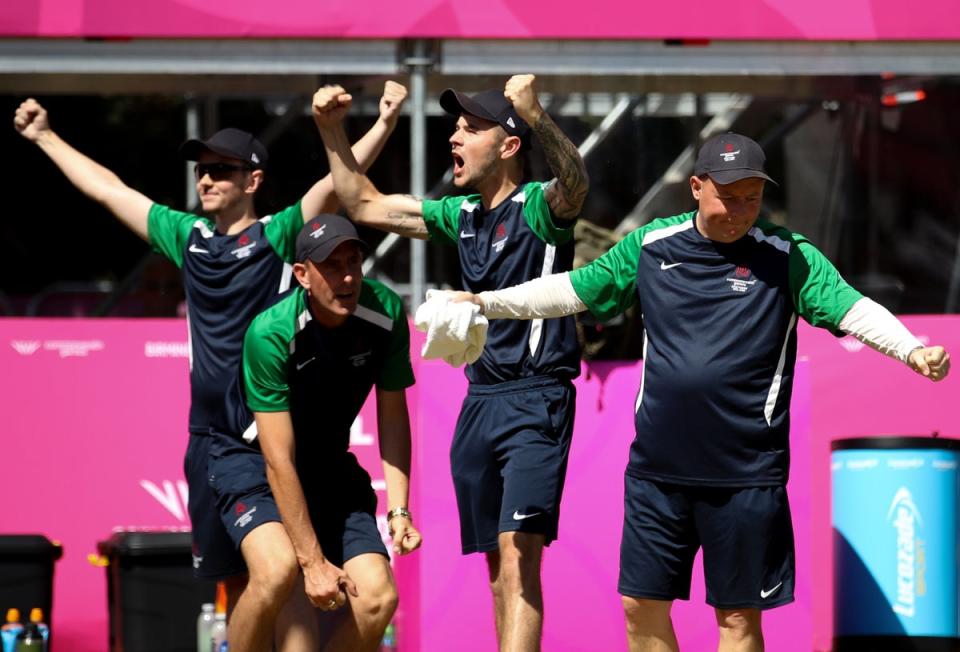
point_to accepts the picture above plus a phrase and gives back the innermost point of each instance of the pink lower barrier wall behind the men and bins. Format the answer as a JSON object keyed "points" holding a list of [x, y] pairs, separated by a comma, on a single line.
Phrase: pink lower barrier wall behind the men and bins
{"points": [[96, 415]]}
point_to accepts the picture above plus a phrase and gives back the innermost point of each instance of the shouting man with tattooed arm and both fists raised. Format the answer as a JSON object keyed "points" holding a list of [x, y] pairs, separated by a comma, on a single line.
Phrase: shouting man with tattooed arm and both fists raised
{"points": [[509, 452]]}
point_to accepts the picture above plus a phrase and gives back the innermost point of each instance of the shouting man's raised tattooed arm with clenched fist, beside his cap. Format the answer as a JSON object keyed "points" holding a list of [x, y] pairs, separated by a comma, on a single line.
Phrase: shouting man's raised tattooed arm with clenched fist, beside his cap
{"points": [[566, 194]]}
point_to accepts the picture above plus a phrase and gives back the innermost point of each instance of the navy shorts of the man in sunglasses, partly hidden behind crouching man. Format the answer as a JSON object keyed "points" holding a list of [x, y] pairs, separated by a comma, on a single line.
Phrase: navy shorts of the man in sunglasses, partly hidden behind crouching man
{"points": [[214, 555]]}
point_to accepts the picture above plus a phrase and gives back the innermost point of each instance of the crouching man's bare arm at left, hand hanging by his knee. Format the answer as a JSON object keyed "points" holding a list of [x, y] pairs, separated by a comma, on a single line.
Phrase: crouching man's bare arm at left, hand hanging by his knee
{"points": [[324, 583]]}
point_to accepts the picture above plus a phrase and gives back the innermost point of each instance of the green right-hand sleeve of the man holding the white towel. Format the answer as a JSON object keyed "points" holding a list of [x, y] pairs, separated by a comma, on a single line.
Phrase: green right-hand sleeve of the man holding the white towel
{"points": [[820, 294]]}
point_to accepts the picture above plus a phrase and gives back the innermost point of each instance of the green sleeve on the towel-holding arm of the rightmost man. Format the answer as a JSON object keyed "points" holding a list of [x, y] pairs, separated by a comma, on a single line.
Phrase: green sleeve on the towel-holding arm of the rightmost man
{"points": [[608, 285]]}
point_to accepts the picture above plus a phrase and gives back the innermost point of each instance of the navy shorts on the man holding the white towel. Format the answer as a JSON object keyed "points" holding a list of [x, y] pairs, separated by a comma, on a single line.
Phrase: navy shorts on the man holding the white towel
{"points": [[746, 535]]}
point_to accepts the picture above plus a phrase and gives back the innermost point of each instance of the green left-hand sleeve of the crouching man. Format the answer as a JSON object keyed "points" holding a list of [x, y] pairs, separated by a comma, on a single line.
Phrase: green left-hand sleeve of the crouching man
{"points": [[265, 351]]}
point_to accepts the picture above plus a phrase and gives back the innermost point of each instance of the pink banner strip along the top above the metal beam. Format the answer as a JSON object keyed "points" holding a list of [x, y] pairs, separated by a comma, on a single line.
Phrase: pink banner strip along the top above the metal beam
{"points": [[605, 19]]}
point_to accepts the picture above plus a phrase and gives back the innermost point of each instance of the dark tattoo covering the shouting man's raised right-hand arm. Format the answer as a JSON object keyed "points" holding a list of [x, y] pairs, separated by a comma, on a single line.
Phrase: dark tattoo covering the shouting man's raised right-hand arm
{"points": [[567, 195]]}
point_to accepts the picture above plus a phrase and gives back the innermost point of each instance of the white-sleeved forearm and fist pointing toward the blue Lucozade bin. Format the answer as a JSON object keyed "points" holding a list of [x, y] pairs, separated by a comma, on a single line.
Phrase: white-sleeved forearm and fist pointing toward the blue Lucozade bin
{"points": [[876, 327]]}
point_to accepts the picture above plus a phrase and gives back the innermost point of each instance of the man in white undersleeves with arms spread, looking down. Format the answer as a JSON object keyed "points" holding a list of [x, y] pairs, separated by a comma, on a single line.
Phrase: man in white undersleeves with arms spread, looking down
{"points": [[720, 292]]}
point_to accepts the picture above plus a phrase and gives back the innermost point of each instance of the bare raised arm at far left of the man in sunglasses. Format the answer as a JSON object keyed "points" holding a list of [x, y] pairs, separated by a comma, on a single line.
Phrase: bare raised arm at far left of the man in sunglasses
{"points": [[92, 179]]}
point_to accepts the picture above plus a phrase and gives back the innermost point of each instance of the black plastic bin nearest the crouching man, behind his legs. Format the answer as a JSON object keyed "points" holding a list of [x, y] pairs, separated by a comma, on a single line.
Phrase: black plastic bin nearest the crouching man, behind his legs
{"points": [[153, 597]]}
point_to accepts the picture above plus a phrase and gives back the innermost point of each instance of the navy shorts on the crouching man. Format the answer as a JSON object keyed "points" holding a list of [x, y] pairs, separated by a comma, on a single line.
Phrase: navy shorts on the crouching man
{"points": [[344, 521]]}
